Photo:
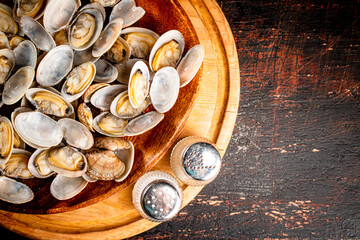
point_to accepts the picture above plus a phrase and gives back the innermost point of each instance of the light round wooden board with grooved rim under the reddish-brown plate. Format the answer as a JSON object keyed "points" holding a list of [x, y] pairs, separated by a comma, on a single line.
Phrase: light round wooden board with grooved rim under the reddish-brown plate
{"points": [[213, 116]]}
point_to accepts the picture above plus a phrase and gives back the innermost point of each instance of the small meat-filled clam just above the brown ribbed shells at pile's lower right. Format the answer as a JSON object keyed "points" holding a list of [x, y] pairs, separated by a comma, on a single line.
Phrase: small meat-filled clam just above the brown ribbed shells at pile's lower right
{"points": [[109, 125]]}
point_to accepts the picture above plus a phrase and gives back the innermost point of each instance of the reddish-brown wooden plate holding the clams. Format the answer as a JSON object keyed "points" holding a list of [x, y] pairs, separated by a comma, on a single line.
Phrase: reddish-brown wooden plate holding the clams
{"points": [[160, 17]]}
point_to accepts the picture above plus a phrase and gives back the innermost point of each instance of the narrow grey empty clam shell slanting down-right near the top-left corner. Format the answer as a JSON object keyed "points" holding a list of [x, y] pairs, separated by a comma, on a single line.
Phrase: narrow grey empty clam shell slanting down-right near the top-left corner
{"points": [[38, 35]]}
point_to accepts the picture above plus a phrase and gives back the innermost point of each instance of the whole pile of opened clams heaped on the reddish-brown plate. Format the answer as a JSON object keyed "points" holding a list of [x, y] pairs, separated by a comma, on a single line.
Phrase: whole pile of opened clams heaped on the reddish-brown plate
{"points": [[79, 81]]}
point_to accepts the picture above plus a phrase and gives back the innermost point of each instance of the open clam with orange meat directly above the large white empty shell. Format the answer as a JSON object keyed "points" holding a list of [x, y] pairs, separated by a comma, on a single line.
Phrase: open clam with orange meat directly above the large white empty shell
{"points": [[49, 102]]}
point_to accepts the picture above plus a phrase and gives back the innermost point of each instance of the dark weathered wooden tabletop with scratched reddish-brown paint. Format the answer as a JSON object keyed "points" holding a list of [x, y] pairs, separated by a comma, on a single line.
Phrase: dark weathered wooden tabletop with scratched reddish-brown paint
{"points": [[292, 168]]}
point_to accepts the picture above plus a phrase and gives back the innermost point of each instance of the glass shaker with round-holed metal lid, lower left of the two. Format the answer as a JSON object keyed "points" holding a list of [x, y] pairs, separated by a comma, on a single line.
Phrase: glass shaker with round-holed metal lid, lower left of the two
{"points": [[157, 196]]}
